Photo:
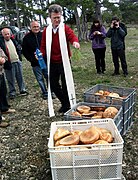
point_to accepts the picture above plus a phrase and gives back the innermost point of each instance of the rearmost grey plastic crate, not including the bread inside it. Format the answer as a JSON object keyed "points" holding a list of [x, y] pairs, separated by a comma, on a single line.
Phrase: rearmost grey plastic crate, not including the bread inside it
{"points": [[128, 101]]}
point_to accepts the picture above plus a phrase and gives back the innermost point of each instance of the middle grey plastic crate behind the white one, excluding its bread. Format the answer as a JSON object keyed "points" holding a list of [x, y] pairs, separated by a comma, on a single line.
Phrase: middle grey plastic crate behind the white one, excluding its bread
{"points": [[118, 119]]}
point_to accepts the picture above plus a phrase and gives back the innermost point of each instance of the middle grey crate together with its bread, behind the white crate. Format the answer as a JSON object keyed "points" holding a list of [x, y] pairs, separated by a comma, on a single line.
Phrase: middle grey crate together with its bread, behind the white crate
{"points": [[84, 110]]}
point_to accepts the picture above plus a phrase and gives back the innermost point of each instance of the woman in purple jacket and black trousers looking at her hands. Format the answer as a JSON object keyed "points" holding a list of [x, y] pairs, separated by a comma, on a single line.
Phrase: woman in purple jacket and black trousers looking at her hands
{"points": [[97, 35]]}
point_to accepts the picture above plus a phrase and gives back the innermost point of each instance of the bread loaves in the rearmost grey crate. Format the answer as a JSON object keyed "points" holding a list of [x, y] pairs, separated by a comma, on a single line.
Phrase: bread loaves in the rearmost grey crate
{"points": [[107, 93]]}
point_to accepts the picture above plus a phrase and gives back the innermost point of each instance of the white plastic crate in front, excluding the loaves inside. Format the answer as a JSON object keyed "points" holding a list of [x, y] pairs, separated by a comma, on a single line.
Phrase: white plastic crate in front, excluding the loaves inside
{"points": [[92, 162]]}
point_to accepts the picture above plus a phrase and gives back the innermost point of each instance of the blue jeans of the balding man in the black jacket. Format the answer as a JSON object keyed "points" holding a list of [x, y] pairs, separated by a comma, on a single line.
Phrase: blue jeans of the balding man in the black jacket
{"points": [[40, 76]]}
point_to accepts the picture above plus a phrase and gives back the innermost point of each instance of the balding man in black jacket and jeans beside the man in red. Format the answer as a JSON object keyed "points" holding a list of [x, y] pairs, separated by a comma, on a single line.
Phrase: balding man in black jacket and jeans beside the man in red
{"points": [[31, 42]]}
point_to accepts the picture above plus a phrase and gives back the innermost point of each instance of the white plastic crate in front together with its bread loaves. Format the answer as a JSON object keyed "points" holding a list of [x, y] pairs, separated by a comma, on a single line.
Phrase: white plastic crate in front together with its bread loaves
{"points": [[92, 146]]}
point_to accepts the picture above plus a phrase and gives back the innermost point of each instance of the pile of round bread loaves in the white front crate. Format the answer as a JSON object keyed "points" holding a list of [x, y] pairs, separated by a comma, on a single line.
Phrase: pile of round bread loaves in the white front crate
{"points": [[92, 135]]}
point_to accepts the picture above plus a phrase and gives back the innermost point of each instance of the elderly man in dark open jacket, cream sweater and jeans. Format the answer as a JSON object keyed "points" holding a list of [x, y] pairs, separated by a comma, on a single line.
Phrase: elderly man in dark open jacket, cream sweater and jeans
{"points": [[10, 48]]}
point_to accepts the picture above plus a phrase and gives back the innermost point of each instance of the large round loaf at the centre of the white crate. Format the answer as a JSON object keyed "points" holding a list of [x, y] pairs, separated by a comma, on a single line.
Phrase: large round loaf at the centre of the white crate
{"points": [[89, 136]]}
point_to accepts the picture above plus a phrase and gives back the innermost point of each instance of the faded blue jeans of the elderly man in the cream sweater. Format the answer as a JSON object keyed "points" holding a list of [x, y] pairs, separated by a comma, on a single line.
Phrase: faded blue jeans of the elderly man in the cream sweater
{"points": [[15, 74]]}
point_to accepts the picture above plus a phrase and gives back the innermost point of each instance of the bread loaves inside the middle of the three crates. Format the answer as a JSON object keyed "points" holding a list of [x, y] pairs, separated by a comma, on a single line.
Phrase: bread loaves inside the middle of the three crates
{"points": [[96, 112]]}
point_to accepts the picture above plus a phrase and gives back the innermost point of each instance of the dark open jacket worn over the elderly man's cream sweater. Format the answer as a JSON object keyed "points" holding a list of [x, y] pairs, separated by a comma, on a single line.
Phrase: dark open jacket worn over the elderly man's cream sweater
{"points": [[17, 46]]}
